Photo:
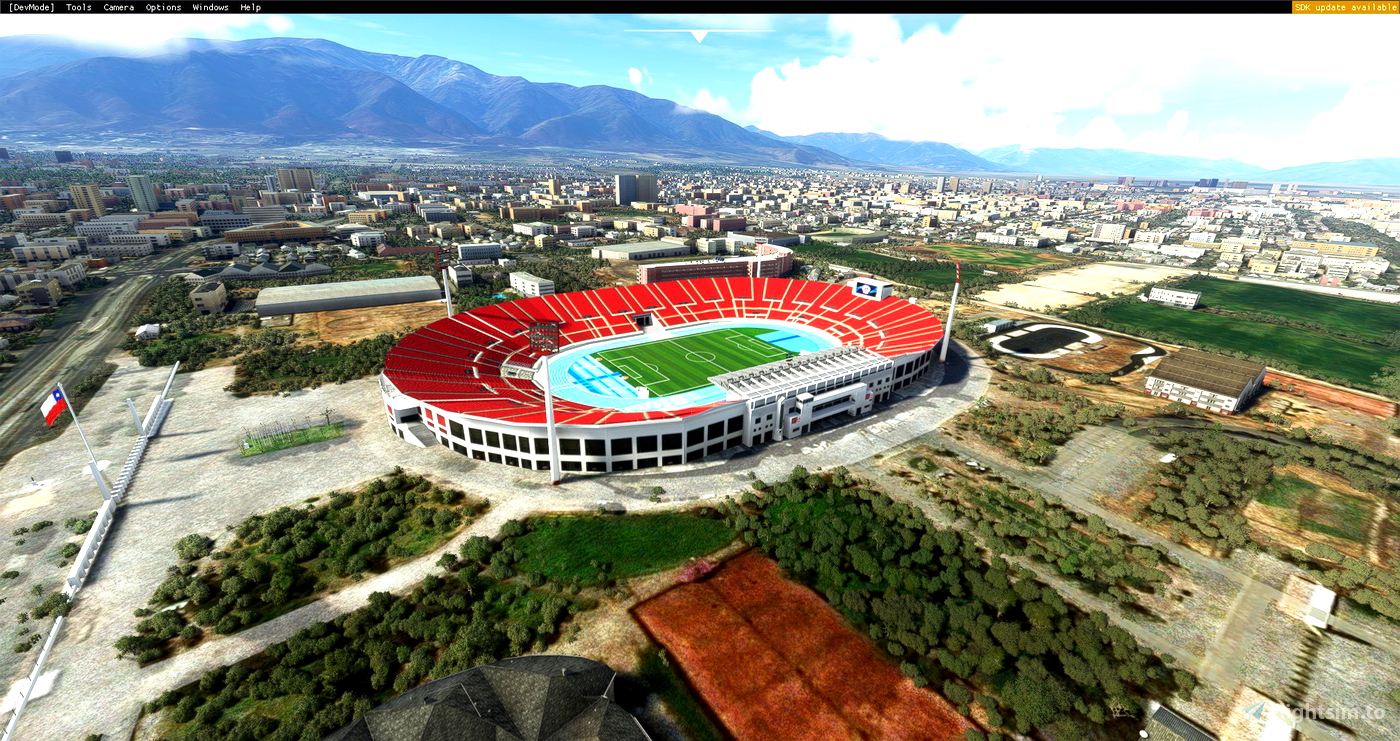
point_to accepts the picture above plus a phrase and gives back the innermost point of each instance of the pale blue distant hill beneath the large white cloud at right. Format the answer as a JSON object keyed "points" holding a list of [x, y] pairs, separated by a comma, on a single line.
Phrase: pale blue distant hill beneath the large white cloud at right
{"points": [[1109, 162]]}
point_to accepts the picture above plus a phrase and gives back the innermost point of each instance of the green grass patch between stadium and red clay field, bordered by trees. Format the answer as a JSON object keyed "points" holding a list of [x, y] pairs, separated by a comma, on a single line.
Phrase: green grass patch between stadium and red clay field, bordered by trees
{"points": [[593, 550]]}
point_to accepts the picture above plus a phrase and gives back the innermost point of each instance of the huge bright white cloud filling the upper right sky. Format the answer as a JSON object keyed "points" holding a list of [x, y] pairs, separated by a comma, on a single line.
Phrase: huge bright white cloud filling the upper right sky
{"points": [[990, 81]]}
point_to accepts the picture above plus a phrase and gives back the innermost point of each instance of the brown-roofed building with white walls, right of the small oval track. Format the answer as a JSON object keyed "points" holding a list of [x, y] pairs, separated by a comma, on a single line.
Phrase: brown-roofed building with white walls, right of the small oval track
{"points": [[1212, 382]]}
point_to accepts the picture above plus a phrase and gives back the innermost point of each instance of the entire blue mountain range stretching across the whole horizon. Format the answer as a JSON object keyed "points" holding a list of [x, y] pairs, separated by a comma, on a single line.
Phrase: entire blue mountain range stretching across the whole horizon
{"points": [[292, 92]]}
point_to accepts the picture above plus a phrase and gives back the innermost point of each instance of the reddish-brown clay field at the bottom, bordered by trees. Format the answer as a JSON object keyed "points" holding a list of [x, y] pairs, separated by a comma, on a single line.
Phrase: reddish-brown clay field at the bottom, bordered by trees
{"points": [[776, 663]]}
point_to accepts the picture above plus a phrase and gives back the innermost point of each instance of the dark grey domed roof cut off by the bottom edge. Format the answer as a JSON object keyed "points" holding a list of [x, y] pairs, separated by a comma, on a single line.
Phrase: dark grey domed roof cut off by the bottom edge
{"points": [[531, 698]]}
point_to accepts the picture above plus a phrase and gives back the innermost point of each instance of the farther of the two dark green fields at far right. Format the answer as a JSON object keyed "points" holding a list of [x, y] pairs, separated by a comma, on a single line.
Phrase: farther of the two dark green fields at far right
{"points": [[1368, 320]]}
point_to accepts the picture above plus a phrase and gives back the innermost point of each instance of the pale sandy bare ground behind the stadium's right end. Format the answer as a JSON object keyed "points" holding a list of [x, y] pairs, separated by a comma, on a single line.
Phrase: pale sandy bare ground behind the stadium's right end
{"points": [[1077, 286]]}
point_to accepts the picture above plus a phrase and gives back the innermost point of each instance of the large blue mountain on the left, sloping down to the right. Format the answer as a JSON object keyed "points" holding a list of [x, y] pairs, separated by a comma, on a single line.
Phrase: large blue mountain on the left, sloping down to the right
{"points": [[306, 90]]}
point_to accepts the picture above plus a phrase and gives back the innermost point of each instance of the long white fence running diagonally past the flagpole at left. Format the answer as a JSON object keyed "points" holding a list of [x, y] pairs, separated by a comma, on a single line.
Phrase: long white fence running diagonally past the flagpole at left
{"points": [[93, 544]]}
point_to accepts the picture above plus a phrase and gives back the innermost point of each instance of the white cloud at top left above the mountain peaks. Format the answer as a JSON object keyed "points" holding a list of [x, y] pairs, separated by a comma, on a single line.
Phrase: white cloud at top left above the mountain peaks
{"points": [[145, 32]]}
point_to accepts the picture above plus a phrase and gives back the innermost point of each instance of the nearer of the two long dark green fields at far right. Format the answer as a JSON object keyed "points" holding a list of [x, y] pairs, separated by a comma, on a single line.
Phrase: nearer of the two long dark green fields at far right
{"points": [[1353, 362]]}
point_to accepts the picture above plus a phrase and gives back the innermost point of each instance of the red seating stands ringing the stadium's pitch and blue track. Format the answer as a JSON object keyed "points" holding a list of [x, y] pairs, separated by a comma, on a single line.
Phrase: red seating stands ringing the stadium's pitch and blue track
{"points": [[456, 363]]}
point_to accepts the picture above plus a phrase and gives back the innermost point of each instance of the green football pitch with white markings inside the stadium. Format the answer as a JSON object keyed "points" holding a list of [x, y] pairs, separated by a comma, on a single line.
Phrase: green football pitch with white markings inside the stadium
{"points": [[680, 365]]}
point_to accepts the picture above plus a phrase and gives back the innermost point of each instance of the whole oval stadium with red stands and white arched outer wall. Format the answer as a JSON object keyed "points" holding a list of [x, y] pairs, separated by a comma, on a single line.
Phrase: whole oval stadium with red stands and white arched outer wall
{"points": [[654, 375]]}
